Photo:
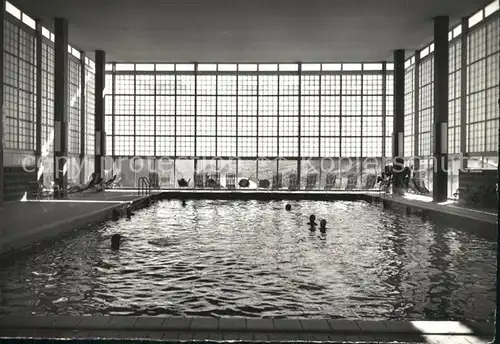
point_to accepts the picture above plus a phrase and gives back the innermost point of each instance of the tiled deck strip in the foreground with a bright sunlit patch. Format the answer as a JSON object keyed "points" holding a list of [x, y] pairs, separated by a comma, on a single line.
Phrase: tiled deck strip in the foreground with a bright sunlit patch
{"points": [[243, 329]]}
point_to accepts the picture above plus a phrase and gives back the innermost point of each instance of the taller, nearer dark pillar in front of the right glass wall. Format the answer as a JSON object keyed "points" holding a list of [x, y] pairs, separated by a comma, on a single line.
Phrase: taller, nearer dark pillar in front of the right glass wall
{"points": [[441, 84]]}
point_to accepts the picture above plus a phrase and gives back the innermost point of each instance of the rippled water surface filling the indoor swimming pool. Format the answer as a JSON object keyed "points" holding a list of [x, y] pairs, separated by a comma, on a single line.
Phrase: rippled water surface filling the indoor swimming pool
{"points": [[254, 259]]}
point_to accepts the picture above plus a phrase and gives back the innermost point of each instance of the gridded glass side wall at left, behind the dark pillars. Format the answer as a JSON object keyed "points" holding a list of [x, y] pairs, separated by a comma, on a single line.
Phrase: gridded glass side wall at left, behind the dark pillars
{"points": [[20, 98]]}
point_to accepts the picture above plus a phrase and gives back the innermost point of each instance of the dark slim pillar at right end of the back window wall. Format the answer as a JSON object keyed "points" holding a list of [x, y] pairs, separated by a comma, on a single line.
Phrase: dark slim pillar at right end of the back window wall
{"points": [[399, 104]]}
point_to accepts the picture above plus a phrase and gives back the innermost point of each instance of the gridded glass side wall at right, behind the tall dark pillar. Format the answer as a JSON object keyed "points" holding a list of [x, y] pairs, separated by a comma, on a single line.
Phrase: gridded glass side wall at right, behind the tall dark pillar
{"points": [[473, 121]]}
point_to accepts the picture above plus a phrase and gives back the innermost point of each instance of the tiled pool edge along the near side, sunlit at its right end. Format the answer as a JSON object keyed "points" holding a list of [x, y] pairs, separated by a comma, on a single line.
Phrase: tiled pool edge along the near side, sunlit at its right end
{"points": [[232, 324]]}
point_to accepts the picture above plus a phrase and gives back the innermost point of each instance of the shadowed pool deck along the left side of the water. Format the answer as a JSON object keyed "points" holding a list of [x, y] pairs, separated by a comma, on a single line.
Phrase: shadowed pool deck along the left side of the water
{"points": [[23, 224]]}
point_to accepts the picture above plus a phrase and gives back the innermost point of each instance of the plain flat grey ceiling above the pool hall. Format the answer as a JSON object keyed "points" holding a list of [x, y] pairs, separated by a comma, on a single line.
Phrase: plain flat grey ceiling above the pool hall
{"points": [[248, 30]]}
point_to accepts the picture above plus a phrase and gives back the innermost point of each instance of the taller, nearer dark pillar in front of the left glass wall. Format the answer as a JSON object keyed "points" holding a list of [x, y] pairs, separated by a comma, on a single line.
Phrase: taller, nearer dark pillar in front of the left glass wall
{"points": [[61, 103]]}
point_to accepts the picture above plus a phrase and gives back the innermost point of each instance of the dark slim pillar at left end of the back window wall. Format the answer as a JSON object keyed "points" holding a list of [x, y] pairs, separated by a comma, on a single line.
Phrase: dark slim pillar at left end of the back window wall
{"points": [[100, 129]]}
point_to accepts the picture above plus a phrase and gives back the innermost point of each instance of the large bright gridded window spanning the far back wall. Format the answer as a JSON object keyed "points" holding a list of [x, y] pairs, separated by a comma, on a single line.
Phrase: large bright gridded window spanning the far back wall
{"points": [[289, 111]]}
